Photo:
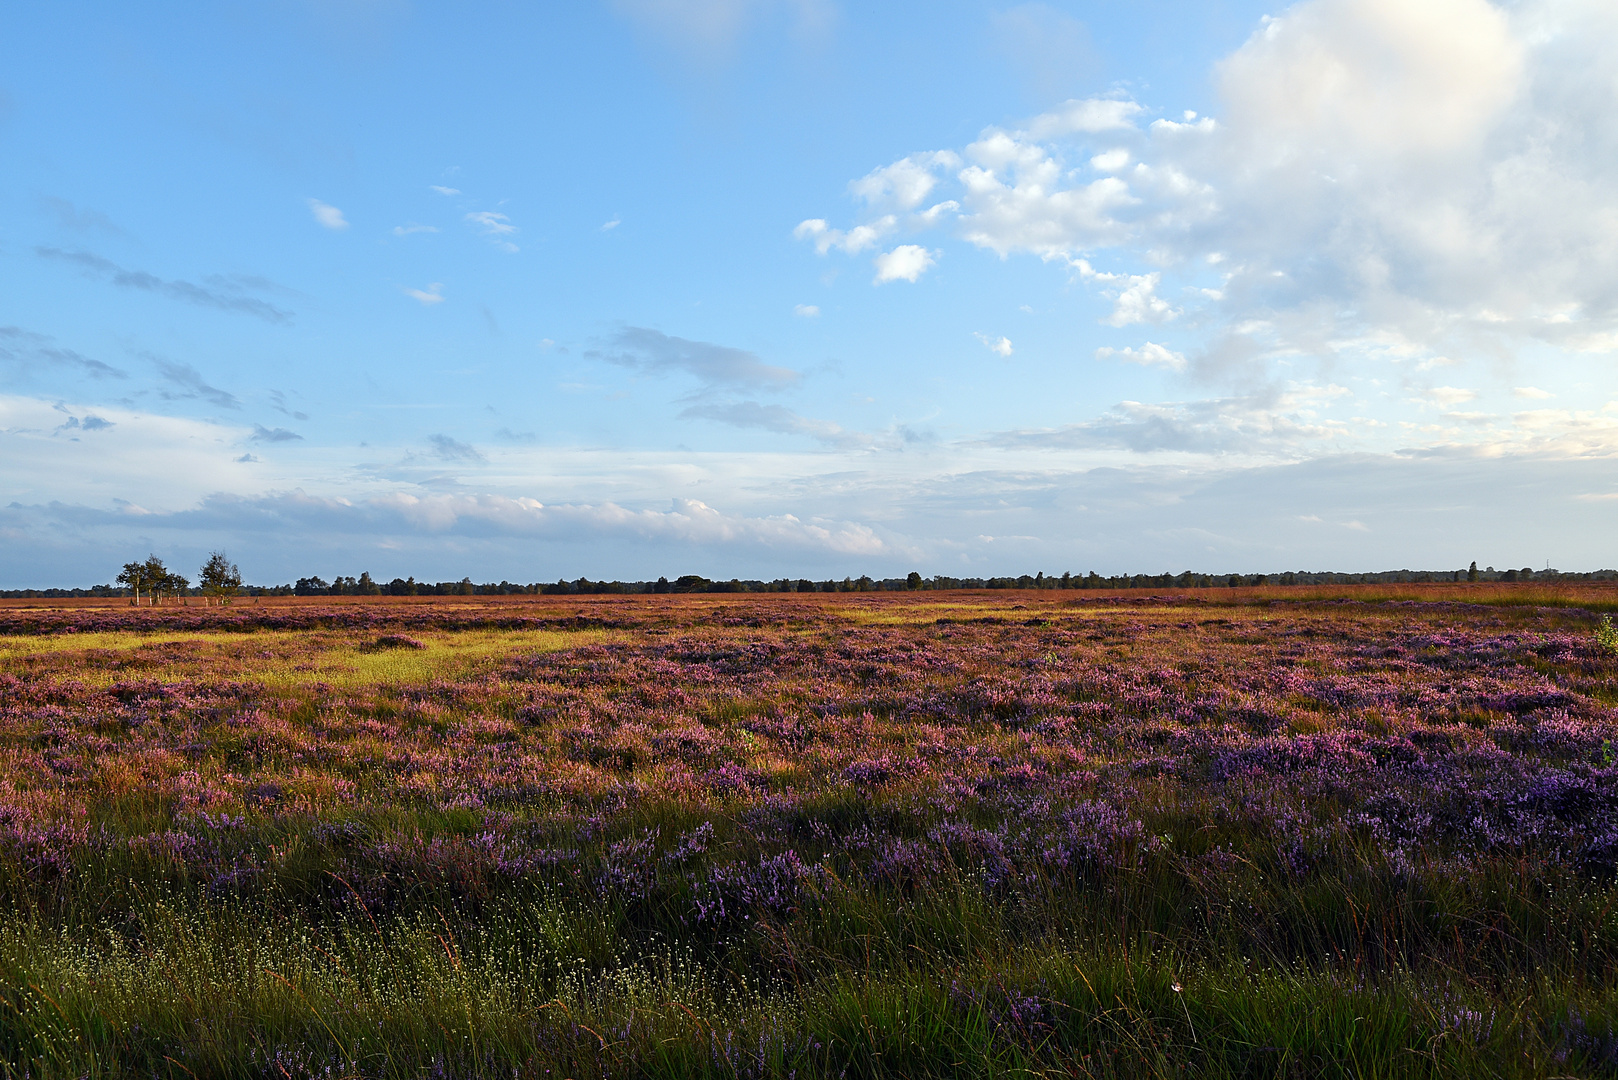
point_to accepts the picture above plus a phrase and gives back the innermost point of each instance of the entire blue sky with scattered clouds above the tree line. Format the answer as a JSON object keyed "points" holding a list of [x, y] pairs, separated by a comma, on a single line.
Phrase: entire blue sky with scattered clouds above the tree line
{"points": [[807, 289]]}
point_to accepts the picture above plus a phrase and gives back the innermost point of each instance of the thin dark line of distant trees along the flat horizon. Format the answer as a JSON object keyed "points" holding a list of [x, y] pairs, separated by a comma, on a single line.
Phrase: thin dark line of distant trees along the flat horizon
{"points": [[693, 584]]}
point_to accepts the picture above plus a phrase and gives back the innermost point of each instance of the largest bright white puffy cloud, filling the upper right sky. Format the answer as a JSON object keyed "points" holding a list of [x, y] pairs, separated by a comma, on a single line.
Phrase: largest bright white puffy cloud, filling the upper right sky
{"points": [[1436, 177]]}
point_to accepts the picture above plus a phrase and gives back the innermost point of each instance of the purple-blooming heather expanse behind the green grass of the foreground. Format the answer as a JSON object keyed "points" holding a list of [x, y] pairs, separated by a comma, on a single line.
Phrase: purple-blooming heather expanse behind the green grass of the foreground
{"points": [[1313, 783]]}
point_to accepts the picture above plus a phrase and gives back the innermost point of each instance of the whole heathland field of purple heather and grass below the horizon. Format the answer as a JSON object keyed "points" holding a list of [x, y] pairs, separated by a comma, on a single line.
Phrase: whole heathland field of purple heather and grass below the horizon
{"points": [[1221, 833]]}
